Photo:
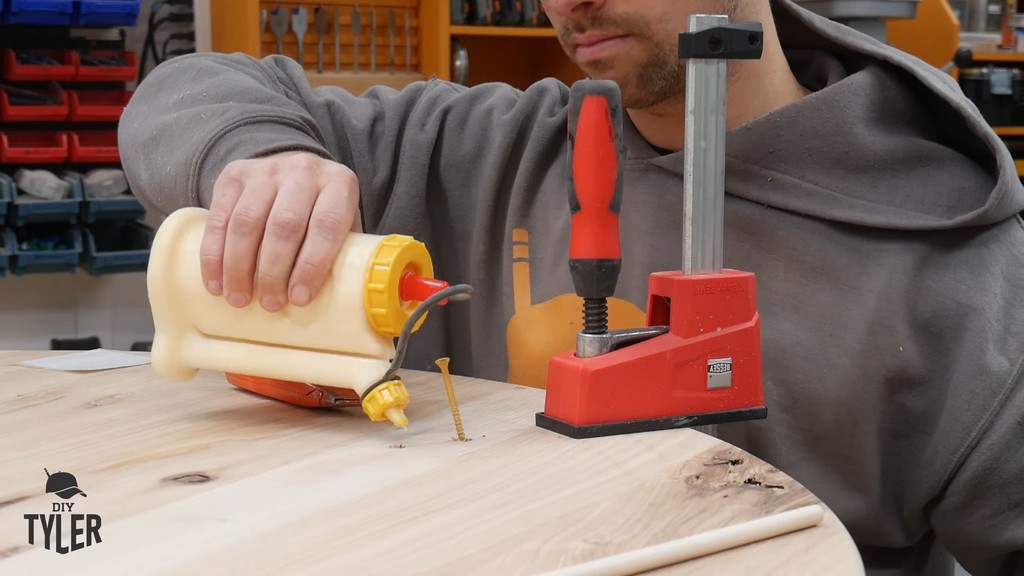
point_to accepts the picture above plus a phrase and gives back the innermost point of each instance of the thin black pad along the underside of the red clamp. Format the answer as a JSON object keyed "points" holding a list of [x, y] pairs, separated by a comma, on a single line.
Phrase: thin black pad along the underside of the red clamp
{"points": [[652, 425]]}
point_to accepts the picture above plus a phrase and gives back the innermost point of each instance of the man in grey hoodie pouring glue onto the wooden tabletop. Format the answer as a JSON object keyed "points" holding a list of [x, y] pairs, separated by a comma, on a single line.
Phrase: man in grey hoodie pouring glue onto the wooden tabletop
{"points": [[876, 208]]}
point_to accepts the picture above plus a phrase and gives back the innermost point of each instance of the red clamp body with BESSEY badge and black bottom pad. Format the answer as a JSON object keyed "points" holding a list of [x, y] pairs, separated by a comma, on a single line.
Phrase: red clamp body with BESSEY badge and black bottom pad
{"points": [[705, 371]]}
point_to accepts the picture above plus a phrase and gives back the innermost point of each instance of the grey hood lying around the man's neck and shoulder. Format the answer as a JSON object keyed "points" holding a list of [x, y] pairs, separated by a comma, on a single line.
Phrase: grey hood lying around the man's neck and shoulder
{"points": [[884, 141]]}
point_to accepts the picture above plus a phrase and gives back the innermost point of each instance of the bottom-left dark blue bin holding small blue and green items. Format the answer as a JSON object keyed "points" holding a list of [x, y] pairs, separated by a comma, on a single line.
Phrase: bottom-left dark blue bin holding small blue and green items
{"points": [[48, 249]]}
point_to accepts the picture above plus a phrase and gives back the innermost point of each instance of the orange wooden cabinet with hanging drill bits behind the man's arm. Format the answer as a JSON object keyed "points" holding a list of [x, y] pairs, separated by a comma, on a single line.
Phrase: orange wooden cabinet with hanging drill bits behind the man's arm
{"points": [[520, 56]]}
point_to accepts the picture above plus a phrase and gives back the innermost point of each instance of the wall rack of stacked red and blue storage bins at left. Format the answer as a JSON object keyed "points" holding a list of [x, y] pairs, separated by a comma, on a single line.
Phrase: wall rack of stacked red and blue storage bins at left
{"points": [[64, 78]]}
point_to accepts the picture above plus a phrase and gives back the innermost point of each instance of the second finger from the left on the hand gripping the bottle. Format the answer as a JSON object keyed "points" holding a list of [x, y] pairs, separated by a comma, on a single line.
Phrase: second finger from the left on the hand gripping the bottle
{"points": [[245, 233]]}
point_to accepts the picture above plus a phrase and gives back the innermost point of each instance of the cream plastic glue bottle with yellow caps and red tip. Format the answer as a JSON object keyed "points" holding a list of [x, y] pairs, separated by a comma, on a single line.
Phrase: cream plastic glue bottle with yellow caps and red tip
{"points": [[345, 339]]}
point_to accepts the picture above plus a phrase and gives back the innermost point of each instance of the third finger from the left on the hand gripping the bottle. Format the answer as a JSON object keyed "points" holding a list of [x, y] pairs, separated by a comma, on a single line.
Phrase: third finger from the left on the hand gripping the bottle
{"points": [[285, 232]]}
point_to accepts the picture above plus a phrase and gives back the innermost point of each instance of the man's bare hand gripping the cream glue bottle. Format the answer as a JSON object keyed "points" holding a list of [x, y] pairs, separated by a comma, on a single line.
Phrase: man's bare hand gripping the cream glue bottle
{"points": [[276, 226]]}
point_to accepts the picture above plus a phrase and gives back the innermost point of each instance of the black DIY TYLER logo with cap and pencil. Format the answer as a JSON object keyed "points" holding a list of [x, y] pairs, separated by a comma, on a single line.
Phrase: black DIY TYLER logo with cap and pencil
{"points": [[84, 527]]}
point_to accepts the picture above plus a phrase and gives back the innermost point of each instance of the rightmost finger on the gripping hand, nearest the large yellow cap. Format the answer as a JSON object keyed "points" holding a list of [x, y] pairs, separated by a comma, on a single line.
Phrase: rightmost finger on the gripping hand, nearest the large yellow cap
{"points": [[332, 218]]}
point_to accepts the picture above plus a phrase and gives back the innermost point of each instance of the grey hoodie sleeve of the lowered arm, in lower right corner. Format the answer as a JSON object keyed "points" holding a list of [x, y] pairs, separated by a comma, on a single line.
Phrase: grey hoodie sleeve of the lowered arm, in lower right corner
{"points": [[980, 516]]}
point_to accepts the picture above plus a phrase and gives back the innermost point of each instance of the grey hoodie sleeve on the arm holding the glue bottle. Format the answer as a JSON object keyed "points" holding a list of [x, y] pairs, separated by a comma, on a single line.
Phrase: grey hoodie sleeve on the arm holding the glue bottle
{"points": [[194, 115]]}
